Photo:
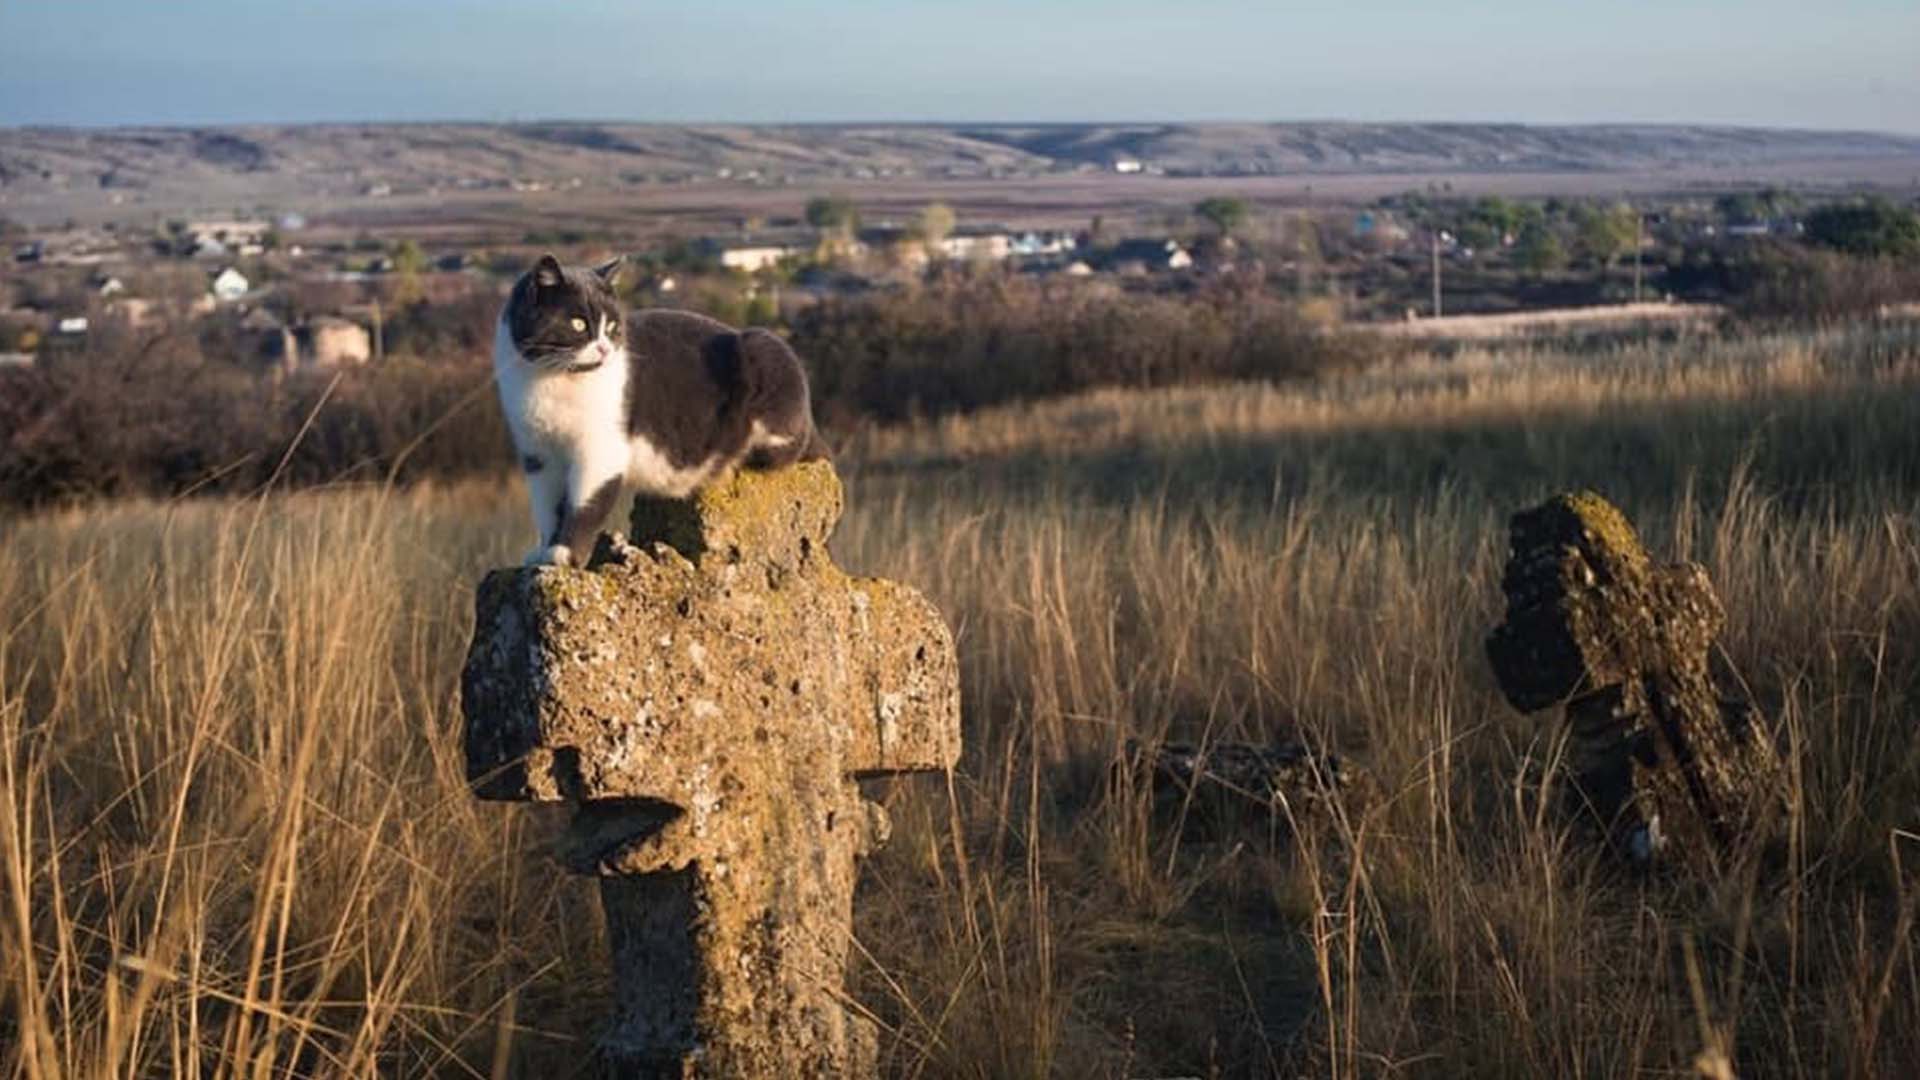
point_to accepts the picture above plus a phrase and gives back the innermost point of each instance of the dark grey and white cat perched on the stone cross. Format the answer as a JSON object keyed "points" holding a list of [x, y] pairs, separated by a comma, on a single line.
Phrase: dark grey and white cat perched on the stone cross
{"points": [[660, 403]]}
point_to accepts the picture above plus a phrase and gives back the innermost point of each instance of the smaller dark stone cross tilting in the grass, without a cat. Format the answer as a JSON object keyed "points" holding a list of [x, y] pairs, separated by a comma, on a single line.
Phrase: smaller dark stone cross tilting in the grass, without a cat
{"points": [[1623, 645]]}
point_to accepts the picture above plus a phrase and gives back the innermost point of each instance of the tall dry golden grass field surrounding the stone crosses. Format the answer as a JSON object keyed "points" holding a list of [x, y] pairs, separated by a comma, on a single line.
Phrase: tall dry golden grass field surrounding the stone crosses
{"points": [[237, 837]]}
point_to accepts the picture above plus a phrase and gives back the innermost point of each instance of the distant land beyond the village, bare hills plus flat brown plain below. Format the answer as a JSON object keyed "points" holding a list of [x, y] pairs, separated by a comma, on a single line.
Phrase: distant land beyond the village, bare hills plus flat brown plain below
{"points": [[636, 182]]}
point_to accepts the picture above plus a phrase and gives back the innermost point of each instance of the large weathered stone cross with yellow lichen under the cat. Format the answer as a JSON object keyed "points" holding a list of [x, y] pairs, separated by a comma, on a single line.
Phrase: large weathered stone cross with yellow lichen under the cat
{"points": [[708, 700]]}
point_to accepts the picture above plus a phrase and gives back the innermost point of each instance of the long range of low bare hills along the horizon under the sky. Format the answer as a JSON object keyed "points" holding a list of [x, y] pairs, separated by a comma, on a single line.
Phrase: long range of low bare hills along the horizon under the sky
{"points": [[347, 160]]}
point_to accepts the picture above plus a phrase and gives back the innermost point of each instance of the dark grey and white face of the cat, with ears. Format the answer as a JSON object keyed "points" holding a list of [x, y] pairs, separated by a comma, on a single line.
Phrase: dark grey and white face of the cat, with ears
{"points": [[565, 318]]}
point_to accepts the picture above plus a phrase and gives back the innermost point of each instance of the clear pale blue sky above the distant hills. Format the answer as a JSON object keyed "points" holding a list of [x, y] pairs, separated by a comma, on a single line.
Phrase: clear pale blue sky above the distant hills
{"points": [[1829, 64]]}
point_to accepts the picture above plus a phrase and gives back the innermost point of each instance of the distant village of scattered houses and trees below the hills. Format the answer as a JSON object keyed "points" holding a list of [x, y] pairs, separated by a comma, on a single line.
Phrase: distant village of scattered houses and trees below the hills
{"points": [[285, 295]]}
